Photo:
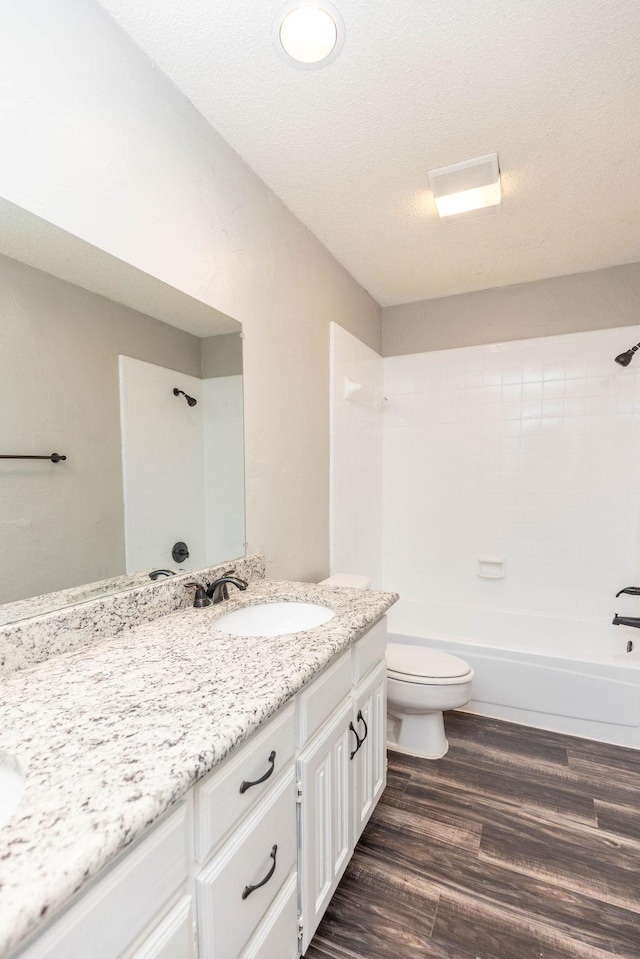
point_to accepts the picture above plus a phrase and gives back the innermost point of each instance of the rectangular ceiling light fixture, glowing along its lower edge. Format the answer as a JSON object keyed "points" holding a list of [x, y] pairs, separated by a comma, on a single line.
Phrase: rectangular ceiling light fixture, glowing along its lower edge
{"points": [[468, 189]]}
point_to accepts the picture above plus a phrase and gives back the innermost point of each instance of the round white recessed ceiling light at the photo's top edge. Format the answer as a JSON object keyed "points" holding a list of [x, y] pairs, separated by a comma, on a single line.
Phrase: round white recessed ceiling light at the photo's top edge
{"points": [[308, 35]]}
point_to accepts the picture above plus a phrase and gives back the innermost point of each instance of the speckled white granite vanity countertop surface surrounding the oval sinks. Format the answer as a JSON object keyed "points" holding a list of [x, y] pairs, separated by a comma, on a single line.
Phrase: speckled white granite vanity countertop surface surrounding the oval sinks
{"points": [[112, 736]]}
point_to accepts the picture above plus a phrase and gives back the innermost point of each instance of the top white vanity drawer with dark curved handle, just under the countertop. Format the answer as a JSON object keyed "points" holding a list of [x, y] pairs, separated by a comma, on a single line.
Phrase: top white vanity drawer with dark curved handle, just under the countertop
{"points": [[219, 802]]}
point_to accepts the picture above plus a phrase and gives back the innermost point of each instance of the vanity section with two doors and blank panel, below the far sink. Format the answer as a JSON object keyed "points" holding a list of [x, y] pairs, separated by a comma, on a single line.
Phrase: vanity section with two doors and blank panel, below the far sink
{"points": [[341, 769]]}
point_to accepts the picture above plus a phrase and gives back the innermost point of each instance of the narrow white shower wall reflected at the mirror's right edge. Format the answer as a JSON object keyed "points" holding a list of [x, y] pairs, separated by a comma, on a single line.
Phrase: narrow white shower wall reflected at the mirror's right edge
{"points": [[223, 467]]}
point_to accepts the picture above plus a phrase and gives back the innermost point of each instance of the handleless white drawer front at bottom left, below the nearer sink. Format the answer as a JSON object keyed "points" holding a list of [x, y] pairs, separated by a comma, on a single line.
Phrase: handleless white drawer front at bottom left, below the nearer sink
{"points": [[111, 915]]}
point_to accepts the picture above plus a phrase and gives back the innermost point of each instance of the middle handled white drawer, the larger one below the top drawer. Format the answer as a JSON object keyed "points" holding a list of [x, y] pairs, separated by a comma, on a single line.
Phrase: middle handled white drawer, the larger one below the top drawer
{"points": [[226, 919]]}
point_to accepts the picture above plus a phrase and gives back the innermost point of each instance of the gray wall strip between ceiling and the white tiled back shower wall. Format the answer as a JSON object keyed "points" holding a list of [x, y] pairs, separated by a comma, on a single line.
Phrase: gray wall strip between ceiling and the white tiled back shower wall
{"points": [[565, 304]]}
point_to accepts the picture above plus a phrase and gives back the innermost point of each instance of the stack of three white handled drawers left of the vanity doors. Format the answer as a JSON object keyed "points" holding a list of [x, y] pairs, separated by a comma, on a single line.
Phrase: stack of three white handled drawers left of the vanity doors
{"points": [[246, 839]]}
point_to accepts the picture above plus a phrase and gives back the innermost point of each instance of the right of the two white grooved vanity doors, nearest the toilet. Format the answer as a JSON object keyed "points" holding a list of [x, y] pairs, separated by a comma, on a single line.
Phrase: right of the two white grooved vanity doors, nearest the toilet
{"points": [[370, 762]]}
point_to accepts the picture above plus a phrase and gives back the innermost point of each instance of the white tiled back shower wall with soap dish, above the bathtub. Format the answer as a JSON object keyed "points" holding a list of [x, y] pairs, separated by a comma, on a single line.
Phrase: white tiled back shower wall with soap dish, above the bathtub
{"points": [[528, 452]]}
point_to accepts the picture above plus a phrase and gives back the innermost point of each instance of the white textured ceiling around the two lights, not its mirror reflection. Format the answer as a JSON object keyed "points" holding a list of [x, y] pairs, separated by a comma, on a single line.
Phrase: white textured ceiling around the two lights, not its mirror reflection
{"points": [[552, 85]]}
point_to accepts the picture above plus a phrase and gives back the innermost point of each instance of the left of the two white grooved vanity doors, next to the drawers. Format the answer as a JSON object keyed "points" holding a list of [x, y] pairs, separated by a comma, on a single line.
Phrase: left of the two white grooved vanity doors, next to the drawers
{"points": [[325, 835]]}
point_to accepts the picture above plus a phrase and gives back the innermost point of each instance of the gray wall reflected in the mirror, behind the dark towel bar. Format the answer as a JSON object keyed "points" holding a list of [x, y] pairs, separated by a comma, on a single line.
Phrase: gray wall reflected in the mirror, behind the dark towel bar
{"points": [[63, 525]]}
